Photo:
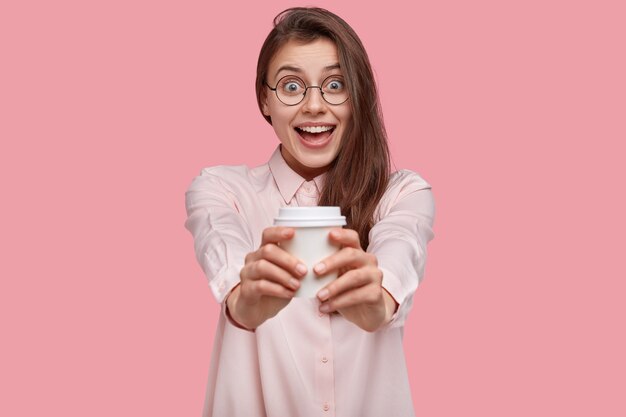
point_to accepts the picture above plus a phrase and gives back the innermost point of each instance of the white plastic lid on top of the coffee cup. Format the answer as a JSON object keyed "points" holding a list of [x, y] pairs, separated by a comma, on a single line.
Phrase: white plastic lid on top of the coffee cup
{"points": [[319, 216]]}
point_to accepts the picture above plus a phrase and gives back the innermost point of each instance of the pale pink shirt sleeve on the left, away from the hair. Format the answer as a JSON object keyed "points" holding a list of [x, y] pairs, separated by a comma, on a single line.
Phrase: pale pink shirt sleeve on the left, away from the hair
{"points": [[222, 237]]}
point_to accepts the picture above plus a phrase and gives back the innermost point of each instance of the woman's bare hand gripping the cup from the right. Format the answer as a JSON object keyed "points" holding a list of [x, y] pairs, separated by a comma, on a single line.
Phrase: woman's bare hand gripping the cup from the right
{"points": [[357, 293]]}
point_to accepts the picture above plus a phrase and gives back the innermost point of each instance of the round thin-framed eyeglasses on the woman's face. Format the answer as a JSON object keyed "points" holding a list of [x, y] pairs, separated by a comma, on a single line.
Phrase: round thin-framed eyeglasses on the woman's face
{"points": [[291, 90]]}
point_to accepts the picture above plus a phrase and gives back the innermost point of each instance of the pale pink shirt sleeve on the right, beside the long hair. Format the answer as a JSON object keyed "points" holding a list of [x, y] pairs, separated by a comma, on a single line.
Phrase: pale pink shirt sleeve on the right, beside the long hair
{"points": [[399, 238]]}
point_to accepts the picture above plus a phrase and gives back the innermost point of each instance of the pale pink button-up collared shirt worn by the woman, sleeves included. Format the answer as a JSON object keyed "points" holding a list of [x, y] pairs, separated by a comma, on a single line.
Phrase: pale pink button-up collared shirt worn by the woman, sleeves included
{"points": [[302, 362]]}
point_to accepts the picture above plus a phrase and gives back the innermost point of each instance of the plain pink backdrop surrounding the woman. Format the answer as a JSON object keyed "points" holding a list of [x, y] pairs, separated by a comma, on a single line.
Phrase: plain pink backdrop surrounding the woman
{"points": [[514, 111]]}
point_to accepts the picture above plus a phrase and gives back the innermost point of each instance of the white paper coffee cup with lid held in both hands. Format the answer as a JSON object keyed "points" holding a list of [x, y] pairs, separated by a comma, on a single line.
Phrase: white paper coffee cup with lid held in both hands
{"points": [[311, 242]]}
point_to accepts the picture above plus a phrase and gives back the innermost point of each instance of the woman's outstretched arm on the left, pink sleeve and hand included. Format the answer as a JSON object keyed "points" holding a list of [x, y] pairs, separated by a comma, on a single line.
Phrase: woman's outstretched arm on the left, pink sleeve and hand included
{"points": [[254, 284]]}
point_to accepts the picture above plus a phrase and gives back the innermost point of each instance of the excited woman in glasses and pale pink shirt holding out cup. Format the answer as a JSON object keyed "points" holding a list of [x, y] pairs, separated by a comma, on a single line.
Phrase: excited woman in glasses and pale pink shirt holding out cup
{"points": [[341, 353]]}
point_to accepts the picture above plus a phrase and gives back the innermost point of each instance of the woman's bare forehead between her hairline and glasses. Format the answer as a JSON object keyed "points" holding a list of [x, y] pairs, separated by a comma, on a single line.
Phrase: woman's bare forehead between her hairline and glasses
{"points": [[310, 59]]}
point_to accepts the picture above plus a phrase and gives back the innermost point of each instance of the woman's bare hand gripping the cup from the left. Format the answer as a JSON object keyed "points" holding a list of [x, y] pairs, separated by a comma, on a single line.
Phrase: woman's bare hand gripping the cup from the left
{"points": [[269, 280]]}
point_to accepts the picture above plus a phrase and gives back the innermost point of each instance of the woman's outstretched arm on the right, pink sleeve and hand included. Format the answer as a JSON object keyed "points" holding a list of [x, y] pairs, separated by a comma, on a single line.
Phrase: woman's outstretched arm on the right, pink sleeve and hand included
{"points": [[376, 287]]}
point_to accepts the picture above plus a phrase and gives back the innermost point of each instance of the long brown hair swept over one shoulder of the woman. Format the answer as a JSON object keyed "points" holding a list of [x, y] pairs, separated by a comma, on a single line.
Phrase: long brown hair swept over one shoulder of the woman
{"points": [[359, 175]]}
